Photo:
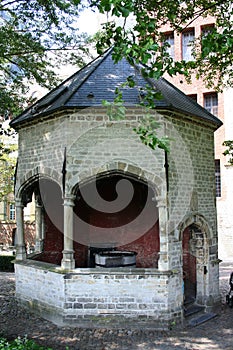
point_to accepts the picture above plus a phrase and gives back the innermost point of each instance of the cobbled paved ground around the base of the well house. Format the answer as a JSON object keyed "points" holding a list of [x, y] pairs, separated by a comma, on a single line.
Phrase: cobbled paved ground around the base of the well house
{"points": [[15, 321]]}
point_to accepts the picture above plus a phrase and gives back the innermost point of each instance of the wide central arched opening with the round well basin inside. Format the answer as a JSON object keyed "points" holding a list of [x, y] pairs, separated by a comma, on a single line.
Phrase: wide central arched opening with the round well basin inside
{"points": [[116, 211]]}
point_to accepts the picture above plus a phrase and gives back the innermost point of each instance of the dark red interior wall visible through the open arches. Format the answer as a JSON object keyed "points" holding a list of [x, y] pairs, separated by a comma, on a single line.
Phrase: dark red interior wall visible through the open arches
{"points": [[144, 242]]}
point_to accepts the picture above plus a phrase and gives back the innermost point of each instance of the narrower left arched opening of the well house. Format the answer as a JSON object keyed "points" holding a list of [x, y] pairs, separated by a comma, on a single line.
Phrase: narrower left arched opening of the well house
{"points": [[47, 196]]}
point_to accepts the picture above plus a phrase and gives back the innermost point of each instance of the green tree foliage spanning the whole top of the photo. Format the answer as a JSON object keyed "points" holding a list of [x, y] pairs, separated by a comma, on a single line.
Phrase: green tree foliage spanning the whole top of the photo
{"points": [[38, 36]]}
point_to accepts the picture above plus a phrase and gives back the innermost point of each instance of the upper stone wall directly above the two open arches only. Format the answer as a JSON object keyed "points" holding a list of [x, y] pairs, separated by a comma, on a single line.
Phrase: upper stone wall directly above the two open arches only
{"points": [[97, 143]]}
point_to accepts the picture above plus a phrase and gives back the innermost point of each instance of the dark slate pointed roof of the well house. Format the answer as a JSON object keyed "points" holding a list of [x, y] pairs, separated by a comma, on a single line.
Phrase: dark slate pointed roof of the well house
{"points": [[97, 82]]}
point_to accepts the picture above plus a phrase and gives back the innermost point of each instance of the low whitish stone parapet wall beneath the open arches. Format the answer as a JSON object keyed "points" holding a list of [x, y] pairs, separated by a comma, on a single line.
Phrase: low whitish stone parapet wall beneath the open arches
{"points": [[93, 296]]}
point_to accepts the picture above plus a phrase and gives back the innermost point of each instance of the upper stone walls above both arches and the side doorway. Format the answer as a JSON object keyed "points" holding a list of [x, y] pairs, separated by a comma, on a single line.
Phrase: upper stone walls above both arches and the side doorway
{"points": [[94, 145]]}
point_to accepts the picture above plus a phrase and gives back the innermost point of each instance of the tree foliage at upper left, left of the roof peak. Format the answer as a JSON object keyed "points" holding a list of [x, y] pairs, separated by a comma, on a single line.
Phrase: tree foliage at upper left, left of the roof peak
{"points": [[36, 37]]}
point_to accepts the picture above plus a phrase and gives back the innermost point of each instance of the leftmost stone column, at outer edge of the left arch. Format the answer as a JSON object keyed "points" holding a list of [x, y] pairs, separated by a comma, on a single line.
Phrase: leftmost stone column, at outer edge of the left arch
{"points": [[20, 246]]}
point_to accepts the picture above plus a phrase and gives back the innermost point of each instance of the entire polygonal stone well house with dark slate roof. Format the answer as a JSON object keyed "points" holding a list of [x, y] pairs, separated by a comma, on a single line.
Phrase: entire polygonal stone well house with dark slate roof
{"points": [[99, 189]]}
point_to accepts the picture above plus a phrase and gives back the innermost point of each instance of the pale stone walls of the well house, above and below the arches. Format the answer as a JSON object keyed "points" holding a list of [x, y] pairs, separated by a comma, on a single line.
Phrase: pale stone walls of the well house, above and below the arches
{"points": [[87, 144]]}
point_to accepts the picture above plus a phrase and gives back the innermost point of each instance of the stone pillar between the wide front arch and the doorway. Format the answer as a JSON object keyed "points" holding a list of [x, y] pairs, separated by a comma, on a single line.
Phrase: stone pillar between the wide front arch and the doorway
{"points": [[163, 263]]}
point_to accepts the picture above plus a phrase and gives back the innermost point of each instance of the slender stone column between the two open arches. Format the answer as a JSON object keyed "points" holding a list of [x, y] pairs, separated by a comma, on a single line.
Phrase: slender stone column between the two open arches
{"points": [[68, 262]]}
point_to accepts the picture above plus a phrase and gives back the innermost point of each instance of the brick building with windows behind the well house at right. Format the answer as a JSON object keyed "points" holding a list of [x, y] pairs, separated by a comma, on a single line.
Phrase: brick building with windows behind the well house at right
{"points": [[220, 105]]}
